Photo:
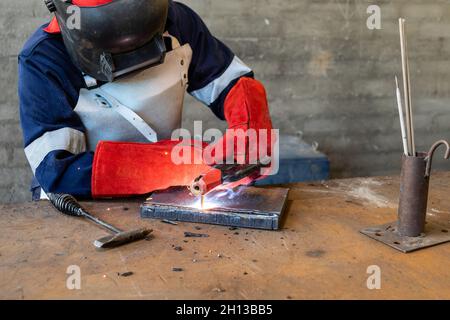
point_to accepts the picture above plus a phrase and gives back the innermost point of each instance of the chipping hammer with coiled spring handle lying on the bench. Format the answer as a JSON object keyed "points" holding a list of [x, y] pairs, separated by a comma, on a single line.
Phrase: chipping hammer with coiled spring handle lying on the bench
{"points": [[68, 205]]}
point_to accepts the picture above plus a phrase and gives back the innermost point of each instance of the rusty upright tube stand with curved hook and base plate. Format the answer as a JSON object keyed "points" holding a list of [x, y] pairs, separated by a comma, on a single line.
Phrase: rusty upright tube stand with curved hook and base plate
{"points": [[411, 231]]}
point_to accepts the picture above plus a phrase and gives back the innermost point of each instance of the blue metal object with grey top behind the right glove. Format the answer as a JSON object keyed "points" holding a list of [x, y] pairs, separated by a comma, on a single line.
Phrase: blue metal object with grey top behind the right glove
{"points": [[299, 162]]}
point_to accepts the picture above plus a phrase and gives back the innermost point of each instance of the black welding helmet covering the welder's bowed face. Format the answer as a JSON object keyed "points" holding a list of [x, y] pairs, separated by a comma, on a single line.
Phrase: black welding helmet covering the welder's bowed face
{"points": [[113, 38]]}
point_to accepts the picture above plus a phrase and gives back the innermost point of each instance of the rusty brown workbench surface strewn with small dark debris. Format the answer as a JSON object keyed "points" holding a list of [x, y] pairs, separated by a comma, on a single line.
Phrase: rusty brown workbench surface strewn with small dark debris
{"points": [[319, 253]]}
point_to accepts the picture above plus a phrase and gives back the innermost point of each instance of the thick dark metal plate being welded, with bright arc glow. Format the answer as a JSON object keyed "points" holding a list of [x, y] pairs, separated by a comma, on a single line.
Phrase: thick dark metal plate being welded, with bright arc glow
{"points": [[248, 207]]}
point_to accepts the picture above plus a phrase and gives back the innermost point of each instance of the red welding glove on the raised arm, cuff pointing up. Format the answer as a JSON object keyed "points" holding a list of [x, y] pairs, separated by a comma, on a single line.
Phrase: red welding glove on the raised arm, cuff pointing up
{"points": [[246, 111]]}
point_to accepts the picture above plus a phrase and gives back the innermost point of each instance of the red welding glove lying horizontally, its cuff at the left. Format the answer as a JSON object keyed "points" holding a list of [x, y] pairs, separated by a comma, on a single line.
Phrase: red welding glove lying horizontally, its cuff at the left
{"points": [[126, 169]]}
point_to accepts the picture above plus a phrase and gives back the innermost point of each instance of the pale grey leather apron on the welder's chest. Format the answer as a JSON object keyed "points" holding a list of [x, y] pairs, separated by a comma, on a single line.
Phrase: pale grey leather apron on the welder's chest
{"points": [[145, 106]]}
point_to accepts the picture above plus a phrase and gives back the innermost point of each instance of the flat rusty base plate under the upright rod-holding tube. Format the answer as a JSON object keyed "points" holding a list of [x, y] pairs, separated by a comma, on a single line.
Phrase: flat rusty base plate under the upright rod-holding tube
{"points": [[388, 234]]}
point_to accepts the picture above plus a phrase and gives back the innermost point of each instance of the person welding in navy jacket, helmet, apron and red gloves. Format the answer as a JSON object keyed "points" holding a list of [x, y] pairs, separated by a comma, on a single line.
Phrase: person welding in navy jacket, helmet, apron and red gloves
{"points": [[101, 96]]}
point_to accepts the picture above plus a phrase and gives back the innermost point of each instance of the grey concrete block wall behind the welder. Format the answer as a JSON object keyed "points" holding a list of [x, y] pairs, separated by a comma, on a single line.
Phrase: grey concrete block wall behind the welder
{"points": [[327, 75]]}
